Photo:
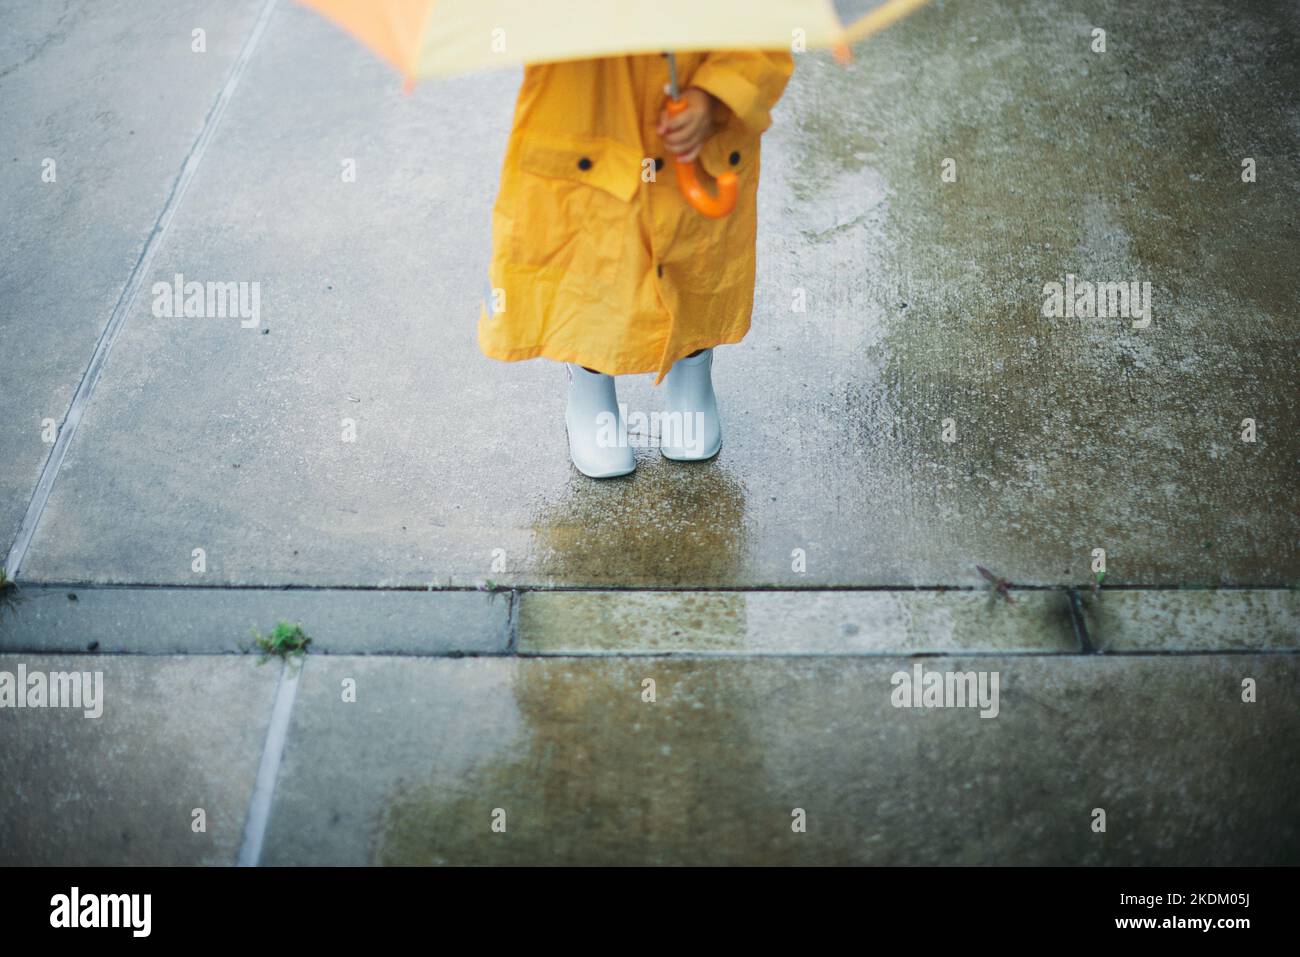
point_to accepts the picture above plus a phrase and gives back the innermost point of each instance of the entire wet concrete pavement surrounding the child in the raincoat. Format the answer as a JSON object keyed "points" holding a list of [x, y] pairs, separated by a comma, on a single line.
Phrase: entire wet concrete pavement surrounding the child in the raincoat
{"points": [[896, 311]]}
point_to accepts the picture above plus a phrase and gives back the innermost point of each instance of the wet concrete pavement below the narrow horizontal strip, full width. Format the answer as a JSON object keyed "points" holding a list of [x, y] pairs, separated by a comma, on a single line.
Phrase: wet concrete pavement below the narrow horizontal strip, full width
{"points": [[575, 764]]}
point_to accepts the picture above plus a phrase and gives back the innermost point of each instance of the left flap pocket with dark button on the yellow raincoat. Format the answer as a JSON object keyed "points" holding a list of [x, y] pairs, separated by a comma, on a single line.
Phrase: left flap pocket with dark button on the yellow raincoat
{"points": [[574, 205]]}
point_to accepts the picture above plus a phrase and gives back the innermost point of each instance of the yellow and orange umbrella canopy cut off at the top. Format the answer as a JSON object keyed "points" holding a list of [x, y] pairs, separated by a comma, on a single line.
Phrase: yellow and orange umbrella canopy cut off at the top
{"points": [[424, 38]]}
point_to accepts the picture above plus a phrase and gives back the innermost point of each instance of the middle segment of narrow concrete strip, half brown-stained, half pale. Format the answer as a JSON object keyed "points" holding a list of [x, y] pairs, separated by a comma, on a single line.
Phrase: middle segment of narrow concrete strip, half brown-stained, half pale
{"points": [[798, 623]]}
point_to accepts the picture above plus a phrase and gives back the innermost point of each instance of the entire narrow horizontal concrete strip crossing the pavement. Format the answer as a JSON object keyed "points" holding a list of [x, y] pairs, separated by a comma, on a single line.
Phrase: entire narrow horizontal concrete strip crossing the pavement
{"points": [[447, 623]]}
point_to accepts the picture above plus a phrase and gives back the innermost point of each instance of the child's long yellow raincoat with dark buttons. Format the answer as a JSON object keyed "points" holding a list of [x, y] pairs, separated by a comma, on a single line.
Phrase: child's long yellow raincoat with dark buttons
{"points": [[597, 257]]}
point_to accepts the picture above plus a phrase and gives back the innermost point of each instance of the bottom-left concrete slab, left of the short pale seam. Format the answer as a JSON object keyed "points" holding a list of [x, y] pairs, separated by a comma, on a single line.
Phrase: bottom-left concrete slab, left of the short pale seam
{"points": [[176, 735]]}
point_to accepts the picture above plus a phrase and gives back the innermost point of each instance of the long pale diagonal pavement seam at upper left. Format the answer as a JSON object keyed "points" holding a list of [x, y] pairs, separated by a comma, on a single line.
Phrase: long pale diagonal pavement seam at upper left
{"points": [[127, 302]]}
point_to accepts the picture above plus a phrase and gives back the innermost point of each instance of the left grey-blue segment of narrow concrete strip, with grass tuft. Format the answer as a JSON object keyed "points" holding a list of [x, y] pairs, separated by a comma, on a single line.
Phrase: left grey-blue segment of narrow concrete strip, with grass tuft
{"points": [[200, 621]]}
